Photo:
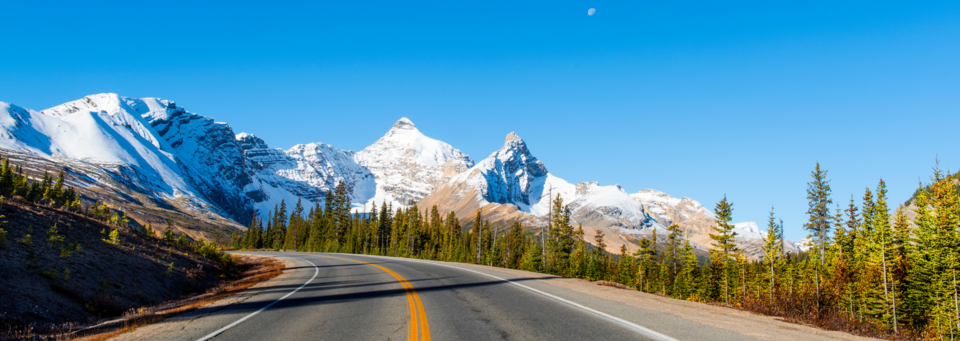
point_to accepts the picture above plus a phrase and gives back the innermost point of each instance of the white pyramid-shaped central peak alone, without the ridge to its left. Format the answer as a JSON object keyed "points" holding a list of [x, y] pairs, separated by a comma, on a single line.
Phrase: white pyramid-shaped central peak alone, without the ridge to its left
{"points": [[408, 165]]}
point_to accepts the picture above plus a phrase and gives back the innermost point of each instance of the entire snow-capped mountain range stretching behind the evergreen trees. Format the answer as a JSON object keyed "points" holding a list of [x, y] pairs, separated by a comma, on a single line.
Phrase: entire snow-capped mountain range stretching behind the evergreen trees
{"points": [[157, 160]]}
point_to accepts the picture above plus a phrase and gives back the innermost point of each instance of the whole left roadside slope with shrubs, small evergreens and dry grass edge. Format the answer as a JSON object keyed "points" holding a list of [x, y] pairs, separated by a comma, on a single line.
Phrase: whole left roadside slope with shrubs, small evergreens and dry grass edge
{"points": [[69, 265]]}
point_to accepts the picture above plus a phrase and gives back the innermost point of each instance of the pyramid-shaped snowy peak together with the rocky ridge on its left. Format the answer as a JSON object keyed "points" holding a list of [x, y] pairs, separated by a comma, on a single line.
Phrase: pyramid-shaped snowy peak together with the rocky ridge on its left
{"points": [[399, 168]]}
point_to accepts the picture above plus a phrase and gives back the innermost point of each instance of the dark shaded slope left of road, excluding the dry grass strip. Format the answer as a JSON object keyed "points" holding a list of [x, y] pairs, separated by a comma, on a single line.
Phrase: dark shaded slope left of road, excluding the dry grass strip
{"points": [[65, 271]]}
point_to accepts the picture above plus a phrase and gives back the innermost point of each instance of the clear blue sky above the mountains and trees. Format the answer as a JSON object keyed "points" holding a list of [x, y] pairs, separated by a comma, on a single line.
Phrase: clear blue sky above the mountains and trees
{"points": [[696, 99]]}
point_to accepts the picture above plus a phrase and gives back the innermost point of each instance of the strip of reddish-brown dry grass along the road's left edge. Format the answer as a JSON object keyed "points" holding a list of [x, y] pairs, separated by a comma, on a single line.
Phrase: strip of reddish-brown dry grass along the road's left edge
{"points": [[258, 269]]}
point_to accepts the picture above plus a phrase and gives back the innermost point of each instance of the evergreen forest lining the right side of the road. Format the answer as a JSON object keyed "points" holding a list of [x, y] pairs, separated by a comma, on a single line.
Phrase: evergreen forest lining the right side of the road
{"points": [[869, 271]]}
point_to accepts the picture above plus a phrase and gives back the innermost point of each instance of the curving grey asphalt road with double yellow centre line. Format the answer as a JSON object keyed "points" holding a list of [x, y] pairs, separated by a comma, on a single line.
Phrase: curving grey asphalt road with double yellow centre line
{"points": [[354, 297]]}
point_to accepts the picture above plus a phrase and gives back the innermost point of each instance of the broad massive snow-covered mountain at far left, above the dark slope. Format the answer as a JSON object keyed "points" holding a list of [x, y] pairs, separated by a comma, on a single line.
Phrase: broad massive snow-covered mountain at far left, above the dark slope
{"points": [[149, 145]]}
